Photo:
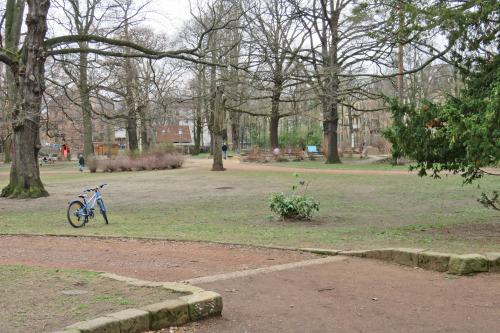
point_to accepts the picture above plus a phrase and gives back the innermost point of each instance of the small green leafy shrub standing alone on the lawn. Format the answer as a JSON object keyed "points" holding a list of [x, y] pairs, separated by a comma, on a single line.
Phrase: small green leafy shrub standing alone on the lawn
{"points": [[295, 206]]}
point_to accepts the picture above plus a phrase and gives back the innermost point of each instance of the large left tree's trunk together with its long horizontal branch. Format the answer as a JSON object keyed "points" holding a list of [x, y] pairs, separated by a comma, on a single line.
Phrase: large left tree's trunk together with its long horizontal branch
{"points": [[28, 68]]}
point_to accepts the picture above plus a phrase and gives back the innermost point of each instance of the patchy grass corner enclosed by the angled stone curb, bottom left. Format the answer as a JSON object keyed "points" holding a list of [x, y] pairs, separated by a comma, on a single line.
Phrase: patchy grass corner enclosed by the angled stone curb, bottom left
{"points": [[32, 298]]}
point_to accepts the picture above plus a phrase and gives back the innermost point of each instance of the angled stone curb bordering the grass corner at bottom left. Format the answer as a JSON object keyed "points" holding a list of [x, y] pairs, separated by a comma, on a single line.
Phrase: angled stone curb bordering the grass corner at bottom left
{"points": [[198, 304]]}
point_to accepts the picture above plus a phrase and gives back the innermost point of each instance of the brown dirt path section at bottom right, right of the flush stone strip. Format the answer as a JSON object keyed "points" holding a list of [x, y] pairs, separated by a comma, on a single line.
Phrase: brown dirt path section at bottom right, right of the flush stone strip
{"points": [[356, 295]]}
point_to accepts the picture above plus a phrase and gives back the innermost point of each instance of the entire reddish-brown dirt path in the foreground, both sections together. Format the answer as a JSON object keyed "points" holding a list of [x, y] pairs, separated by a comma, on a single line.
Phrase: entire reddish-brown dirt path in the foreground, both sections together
{"points": [[367, 295]]}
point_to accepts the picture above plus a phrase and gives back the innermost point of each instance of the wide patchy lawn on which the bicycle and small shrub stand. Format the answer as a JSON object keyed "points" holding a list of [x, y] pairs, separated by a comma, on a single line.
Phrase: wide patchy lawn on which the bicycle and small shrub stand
{"points": [[357, 211]]}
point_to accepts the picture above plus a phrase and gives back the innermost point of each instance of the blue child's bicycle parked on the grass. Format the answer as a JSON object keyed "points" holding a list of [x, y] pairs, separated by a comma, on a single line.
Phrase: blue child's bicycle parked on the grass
{"points": [[79, 213]]}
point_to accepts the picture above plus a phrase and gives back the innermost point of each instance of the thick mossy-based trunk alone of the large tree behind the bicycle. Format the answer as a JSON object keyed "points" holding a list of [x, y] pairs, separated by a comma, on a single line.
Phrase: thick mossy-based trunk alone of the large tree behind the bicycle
{"points": [[25, 179]]}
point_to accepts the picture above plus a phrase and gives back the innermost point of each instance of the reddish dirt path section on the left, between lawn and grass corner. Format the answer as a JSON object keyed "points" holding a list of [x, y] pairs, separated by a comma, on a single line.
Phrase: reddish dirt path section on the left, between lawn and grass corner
{"points": [[147, 260]]}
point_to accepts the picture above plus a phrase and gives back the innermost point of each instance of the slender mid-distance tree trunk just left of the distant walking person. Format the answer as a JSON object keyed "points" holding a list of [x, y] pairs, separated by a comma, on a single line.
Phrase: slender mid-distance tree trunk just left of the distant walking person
{"points": [[219, 105]]}
